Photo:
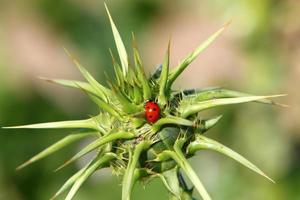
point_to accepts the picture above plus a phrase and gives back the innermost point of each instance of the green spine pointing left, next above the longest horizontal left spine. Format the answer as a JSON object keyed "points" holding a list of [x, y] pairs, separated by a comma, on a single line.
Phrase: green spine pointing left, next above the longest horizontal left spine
{"points": [[73, 84]]}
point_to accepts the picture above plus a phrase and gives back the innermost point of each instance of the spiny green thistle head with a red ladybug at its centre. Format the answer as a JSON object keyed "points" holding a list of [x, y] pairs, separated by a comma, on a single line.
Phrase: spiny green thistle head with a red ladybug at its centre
{"points": [[145, 128]]}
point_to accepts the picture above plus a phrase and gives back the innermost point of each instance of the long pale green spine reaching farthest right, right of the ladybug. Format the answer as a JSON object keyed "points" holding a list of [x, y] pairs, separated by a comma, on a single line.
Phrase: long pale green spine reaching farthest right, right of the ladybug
{"points": [[187, 109]]}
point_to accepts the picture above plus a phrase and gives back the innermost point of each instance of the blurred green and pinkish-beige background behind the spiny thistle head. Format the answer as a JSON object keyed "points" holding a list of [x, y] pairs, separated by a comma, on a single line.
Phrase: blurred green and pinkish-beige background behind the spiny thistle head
{"points": [[259, 53]]}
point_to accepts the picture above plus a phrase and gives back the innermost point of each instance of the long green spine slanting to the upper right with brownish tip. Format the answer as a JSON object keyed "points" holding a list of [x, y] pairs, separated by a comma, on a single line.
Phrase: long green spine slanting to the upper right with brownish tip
{"points": [[192, 56]]}
